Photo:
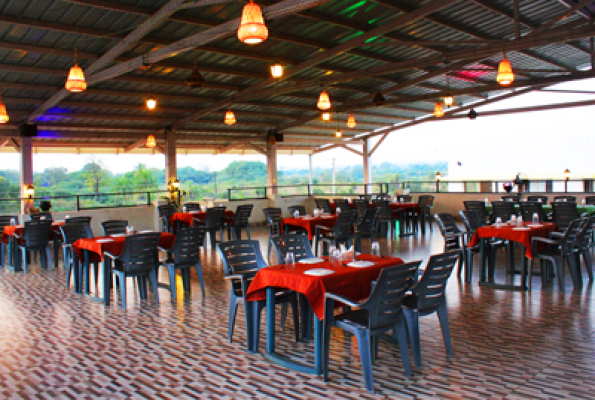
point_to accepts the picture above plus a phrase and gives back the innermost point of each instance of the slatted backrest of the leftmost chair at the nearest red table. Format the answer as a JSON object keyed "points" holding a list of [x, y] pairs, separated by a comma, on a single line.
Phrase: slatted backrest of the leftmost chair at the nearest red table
{"points": [[240, 256]]}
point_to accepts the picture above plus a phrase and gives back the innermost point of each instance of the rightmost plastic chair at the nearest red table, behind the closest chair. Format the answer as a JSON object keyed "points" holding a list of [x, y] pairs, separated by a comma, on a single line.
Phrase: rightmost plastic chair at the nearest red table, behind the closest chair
{"points": [[428, 297]]}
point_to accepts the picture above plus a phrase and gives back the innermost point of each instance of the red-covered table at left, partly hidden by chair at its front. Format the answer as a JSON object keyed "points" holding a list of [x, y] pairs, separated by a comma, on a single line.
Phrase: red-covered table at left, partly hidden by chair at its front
{"points": [[92, 250]]}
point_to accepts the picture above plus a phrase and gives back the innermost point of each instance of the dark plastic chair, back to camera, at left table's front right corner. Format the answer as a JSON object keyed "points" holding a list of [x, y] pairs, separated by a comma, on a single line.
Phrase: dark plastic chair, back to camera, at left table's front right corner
{"points": [[140, 260]]}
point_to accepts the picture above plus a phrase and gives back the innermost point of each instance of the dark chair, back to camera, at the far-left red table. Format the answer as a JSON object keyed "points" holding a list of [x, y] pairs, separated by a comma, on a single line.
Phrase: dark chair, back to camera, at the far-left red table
{"points": [[36, 237]]}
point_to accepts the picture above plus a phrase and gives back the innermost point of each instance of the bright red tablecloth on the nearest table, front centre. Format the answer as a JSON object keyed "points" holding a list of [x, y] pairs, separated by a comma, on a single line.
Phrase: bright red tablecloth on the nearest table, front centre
{"points": [[354, 283]]}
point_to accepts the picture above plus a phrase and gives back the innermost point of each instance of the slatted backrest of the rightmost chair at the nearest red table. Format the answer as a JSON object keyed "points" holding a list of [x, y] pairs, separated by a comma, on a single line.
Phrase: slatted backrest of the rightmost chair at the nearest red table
{"points": [[431, 287]]}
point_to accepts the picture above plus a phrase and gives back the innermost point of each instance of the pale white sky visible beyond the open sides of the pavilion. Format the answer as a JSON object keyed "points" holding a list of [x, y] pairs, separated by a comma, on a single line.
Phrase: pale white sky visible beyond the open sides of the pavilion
{"points": [[542, 143]]}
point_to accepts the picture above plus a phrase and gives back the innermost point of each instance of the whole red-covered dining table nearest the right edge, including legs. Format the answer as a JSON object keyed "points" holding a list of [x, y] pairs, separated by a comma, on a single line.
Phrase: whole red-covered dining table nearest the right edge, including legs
{"points": [[512, 232]]}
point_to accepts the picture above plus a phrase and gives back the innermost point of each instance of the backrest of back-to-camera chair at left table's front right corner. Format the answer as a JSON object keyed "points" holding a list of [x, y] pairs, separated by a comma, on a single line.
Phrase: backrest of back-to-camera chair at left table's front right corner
{"points": [[140, 252]]}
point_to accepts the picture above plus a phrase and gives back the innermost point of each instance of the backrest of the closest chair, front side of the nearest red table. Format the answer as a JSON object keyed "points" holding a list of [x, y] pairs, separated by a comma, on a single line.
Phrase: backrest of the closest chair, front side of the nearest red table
{"points": [[385, 302]]}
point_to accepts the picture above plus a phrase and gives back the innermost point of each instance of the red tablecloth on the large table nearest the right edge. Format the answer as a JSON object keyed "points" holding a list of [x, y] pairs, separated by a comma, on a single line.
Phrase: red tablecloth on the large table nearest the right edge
{"points": [[509, 233]]}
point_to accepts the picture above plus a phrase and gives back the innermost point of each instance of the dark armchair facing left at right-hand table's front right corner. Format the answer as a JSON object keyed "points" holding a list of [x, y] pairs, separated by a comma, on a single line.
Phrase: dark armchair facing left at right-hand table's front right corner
{"points": [[558, 253]]}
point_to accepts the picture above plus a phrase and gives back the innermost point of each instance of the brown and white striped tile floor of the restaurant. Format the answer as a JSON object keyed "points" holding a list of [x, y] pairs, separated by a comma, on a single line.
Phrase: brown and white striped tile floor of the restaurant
{"points": [[57, 344]]}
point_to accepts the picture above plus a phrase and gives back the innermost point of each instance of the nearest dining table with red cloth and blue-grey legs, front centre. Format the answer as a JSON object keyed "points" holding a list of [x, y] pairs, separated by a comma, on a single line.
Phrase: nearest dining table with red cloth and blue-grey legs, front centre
{"points": [[311, 281]]}
